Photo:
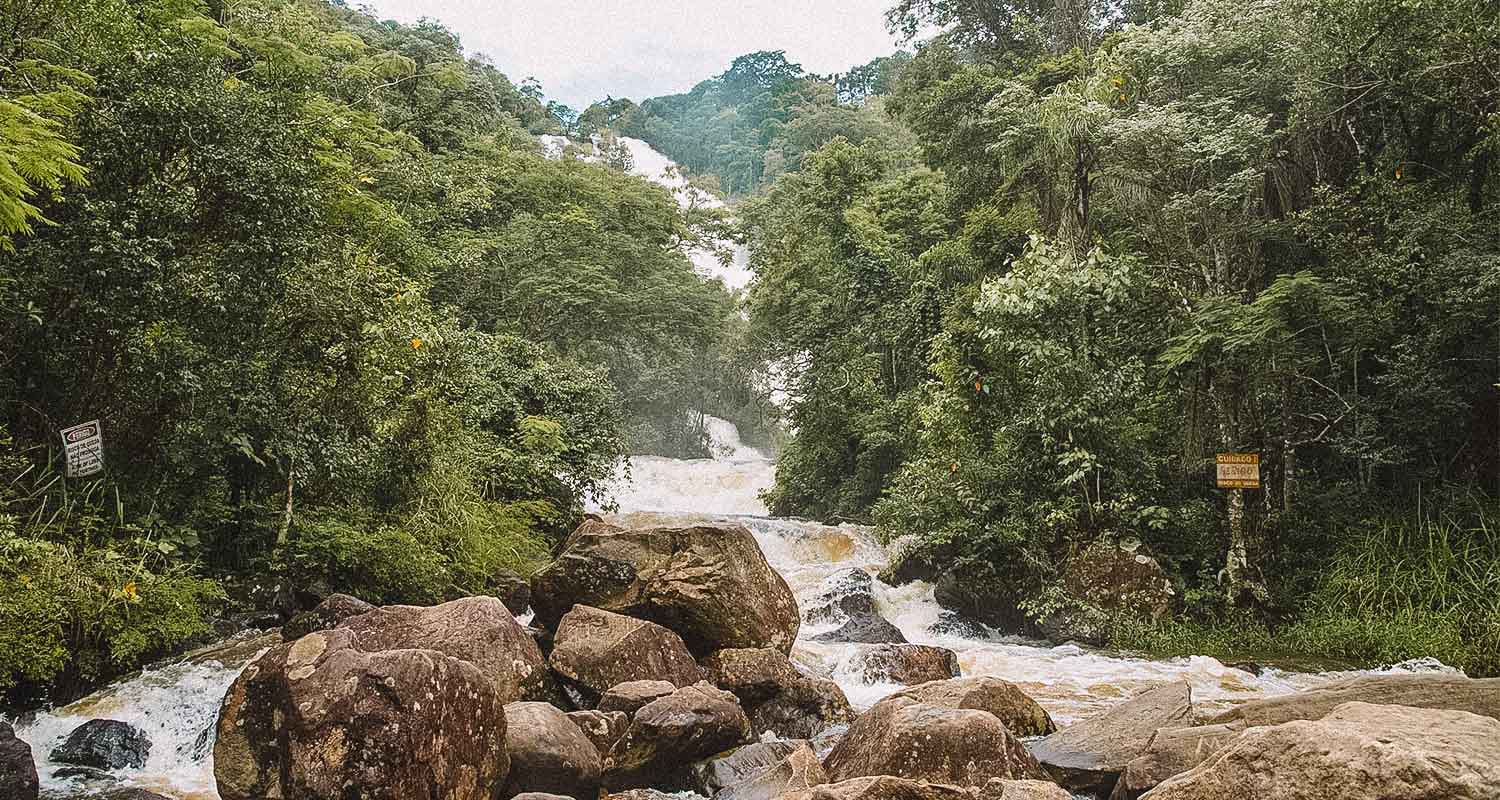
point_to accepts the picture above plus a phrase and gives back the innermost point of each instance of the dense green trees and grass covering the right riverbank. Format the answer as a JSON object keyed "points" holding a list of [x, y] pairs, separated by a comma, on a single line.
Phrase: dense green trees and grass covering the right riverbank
{"points": [[1124, 248]]}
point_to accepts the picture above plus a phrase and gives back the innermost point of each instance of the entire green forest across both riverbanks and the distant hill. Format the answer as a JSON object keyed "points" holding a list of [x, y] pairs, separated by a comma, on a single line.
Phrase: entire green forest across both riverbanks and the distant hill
{"points": [[347, 329]]}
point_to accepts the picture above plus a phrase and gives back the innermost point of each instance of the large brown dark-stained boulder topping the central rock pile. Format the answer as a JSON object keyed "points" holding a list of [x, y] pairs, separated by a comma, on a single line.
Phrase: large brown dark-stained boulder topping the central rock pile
{"points": [[709, 583]]}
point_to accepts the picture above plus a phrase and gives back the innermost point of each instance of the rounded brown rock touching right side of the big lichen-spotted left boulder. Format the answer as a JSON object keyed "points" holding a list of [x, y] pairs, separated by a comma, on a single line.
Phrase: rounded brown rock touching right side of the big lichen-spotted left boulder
{"points": [[548, 753]]}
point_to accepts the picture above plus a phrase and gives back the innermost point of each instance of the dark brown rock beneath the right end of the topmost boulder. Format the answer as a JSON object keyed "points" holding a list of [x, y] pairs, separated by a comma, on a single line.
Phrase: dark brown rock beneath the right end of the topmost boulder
{"points": [[779, 700]]}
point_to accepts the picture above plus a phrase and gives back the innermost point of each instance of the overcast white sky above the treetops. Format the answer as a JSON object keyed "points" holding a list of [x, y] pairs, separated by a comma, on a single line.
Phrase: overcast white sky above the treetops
{"points": [[584, 50]]}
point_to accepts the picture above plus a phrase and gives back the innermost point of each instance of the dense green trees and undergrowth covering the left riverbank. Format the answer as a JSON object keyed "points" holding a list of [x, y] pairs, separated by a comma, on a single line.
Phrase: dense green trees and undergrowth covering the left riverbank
{"points": [[340, 317]]}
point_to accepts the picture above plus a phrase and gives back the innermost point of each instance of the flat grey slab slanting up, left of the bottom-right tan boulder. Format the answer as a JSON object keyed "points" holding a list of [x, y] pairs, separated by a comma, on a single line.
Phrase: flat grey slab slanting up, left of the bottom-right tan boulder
{"points": [[1090, 757]]}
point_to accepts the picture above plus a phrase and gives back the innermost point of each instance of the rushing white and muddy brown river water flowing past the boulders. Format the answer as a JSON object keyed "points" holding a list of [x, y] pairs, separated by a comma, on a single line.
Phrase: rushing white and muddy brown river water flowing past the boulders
{"points": [[178, 703]]}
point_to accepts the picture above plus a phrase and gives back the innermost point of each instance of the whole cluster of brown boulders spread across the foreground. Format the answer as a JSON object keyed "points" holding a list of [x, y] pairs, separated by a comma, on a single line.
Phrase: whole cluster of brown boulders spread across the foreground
{"points": [[661, 664]]}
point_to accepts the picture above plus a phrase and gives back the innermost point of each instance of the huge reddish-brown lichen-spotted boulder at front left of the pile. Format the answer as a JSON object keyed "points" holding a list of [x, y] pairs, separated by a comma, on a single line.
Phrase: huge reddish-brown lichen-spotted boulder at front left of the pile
{"points": [[325, 720]]}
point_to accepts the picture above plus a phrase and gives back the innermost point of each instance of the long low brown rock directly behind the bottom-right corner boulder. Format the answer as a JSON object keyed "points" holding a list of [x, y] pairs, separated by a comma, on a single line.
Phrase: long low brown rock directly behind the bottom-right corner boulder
{"points": [[1418, 691]]}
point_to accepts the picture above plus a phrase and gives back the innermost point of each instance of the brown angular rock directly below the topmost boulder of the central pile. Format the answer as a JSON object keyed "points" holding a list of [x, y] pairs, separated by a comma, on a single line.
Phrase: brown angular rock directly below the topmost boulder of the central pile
{"points": [[596, 651]]}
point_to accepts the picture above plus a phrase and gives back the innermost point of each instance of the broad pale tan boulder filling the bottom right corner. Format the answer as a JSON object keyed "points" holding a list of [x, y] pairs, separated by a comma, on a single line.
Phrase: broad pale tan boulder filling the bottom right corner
{"points": [[1358, 753]]}
